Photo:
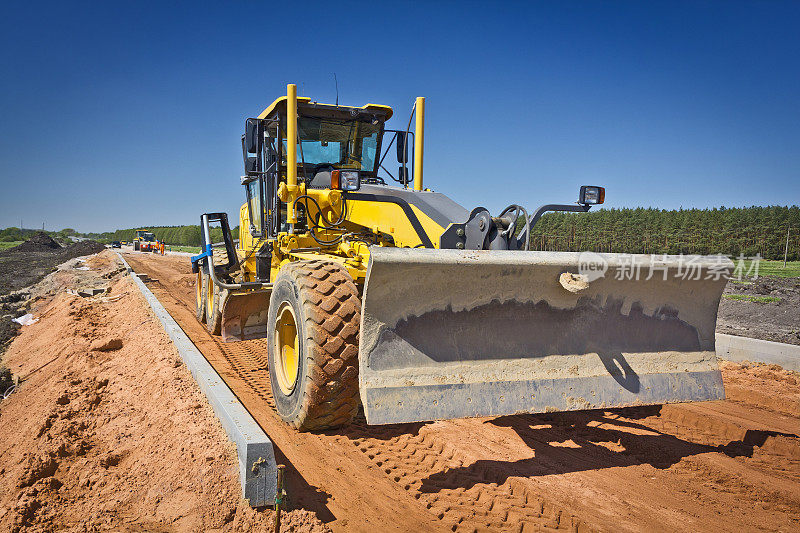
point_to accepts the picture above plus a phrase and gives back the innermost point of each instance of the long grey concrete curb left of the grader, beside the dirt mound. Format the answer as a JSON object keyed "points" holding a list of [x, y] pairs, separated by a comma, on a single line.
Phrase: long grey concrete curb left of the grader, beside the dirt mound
{"points": [[257, 467]]}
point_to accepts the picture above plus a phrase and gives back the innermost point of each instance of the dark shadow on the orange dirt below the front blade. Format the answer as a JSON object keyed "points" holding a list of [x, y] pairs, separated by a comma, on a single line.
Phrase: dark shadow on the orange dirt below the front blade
{"points": [[569, 442]]}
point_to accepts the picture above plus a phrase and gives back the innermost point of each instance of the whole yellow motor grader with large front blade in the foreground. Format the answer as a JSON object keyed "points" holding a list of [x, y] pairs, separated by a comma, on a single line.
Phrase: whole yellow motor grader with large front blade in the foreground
{"points": [[401, 300]]}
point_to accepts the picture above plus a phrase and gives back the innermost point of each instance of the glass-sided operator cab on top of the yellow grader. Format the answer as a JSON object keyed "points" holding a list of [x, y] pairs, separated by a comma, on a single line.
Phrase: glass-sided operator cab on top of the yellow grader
{"points": [[340, 147]]}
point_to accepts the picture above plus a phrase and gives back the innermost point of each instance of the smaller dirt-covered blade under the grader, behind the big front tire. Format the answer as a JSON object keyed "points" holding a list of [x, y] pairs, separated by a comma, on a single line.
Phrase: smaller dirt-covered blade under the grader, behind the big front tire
{"points": [[244, 315]]}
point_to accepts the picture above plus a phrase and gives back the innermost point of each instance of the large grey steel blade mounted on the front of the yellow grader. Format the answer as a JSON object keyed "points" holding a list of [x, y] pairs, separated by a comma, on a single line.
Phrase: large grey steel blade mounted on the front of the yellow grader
{"points": [[450, 333]]}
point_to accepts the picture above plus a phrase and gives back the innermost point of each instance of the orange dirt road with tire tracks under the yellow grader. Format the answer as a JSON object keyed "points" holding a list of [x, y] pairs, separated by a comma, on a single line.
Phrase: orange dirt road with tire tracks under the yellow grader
{"points": [[732, 465]]}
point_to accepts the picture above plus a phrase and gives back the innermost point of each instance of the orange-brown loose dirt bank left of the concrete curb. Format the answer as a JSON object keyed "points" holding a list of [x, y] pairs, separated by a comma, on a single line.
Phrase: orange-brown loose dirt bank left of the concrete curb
{"points": [[108, 430]]}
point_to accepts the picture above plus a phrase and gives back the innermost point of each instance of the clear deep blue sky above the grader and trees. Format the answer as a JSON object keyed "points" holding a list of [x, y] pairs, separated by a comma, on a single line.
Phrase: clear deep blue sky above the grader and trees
{"points": [[118, 114]]}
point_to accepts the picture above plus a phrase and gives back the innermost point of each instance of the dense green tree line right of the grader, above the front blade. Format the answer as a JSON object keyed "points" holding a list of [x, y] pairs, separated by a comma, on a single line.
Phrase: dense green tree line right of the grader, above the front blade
{"points": [[729, 231]]}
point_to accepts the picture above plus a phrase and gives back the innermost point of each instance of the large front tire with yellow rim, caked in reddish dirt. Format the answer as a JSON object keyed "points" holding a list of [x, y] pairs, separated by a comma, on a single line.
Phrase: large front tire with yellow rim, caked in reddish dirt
{"points": [[312, 333]]}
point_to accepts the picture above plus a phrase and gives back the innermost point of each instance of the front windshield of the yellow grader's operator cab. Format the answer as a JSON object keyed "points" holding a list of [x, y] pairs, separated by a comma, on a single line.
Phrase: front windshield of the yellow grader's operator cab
{"points": [[348, 144]]}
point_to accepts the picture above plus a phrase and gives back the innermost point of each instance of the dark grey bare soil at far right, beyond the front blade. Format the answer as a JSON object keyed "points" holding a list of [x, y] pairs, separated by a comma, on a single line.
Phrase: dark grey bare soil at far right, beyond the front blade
{"points": [[766, 308]]}
